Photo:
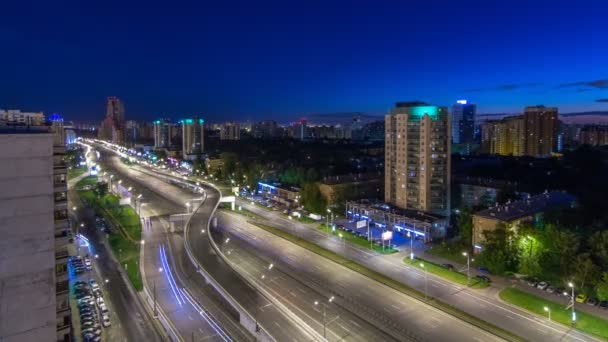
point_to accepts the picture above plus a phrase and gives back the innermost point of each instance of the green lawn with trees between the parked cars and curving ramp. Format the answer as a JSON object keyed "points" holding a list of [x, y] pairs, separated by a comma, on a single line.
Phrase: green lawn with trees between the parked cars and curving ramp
{"points": [[125, 240]]}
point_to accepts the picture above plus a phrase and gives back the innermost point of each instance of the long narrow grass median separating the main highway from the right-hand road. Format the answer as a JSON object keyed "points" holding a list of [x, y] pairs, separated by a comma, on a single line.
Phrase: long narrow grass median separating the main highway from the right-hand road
{"points": [[381, 278]]}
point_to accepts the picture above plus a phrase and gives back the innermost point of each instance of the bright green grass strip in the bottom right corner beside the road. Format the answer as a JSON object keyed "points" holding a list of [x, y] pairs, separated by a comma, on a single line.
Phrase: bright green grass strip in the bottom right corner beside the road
{"points": [[585, 322]]}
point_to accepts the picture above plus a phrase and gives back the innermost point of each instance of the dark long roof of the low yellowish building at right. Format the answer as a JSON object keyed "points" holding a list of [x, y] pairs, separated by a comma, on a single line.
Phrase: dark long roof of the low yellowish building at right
{"points": [[532, 205]]}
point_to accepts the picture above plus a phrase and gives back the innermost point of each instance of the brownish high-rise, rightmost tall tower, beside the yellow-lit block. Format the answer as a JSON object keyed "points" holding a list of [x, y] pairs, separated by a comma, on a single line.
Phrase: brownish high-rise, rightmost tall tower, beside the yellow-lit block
{"points": [[541, 126]]}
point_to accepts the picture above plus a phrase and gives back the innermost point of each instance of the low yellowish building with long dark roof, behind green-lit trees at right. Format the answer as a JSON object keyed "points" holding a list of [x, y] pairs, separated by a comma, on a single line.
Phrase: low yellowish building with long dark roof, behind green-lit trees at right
{"points": [[513, 214]]}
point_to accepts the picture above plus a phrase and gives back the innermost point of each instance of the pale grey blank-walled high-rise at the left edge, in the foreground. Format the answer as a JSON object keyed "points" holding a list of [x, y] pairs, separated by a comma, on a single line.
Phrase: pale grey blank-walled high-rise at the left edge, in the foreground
{"points": [[36, 234]]}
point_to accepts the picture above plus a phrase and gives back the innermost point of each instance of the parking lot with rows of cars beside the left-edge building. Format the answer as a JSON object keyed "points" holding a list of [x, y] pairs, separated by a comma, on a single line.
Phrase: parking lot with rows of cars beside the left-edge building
{"points": [[91, 315]]}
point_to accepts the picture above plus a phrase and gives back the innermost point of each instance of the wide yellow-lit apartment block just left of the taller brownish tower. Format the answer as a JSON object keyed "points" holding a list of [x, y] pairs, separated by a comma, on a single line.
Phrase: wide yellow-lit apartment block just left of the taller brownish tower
{"points": [[504, 137]]}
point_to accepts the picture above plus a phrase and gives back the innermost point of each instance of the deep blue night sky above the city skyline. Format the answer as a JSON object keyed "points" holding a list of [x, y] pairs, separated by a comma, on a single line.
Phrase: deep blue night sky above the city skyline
{"points": [[284, 59]]}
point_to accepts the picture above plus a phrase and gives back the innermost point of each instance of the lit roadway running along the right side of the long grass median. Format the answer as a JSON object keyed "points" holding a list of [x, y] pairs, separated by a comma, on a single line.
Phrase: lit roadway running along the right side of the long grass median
{"points": [[480, 303]]}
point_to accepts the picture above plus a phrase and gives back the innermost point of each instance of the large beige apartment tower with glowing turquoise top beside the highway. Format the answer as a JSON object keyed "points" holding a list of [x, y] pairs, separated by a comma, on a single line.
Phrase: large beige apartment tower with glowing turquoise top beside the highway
{"points": [[417, 157]]}
